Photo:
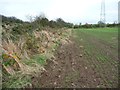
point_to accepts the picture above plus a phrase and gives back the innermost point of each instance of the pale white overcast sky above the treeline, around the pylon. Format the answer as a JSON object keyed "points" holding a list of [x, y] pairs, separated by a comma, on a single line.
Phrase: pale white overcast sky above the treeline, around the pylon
{"points": [[74, 11]]}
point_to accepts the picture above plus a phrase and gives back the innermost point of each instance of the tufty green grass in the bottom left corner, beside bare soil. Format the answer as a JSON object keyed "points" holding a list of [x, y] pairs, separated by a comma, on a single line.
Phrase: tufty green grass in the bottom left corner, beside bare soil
{"points": [[17, 81]]}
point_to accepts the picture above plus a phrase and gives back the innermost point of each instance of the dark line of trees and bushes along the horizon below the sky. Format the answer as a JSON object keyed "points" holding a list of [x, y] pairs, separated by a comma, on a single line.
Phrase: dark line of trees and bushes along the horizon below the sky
{"points": [[42, 21]]}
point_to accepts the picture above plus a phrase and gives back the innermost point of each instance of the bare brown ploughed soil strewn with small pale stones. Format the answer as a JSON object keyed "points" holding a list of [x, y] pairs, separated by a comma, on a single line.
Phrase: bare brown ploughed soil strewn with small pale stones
{"points": [[72, 68]]}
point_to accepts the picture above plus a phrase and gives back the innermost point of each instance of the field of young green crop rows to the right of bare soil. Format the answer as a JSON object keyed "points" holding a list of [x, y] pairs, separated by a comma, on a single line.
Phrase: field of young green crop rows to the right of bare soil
{"points": [[100, 51]]}
